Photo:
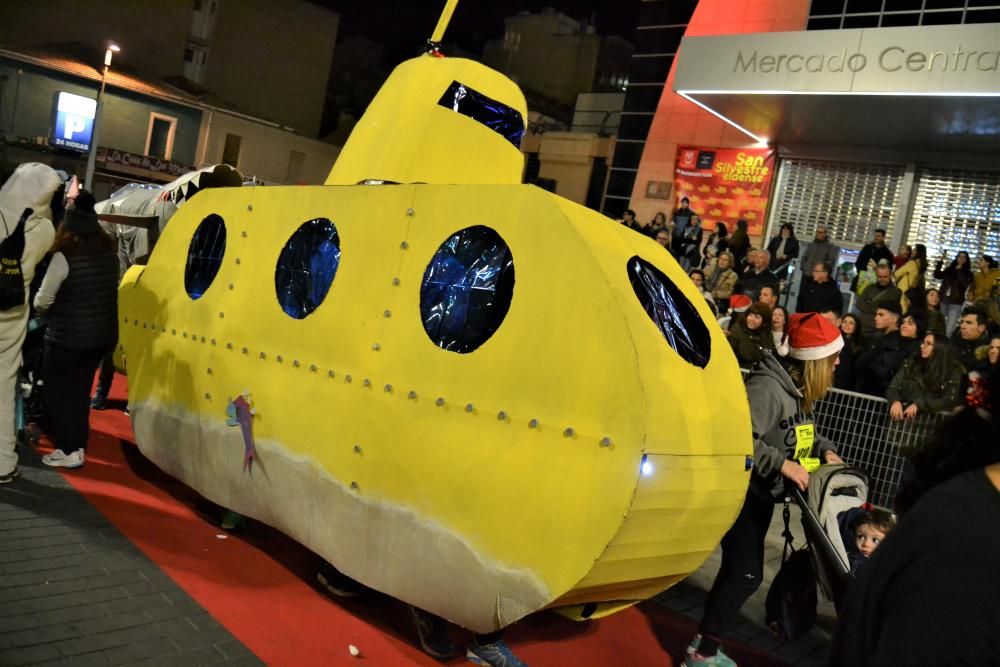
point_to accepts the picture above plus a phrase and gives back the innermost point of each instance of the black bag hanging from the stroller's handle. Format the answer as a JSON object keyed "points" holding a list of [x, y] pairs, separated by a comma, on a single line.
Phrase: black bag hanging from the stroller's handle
{"points": [[790, 607]]}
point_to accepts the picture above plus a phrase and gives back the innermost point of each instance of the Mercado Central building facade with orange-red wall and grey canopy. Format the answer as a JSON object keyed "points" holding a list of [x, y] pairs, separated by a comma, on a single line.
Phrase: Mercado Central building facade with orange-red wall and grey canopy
{"points": [[875, 125]]}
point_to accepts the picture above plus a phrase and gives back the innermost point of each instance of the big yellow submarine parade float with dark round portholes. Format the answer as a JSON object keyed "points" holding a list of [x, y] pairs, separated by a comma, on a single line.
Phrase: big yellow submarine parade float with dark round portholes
{"points": [[462, 391]]}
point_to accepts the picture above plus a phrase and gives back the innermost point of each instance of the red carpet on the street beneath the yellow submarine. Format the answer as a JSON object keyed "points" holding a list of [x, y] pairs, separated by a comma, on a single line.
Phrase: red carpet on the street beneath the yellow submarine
{"points": [[261, 585]]}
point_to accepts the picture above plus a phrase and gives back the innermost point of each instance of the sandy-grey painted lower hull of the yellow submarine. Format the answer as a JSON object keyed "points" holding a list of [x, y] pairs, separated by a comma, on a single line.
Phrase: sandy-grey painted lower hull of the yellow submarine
{"points": [[379, 543]]}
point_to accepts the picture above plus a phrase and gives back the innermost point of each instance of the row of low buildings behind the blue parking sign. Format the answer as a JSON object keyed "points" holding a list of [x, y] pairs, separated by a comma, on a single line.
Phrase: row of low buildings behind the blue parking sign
{"points": [[150, 131]]}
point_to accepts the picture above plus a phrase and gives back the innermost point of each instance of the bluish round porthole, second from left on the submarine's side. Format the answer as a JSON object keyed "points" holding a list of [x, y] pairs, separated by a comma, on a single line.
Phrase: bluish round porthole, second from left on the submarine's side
{"points": [[306, 267]]}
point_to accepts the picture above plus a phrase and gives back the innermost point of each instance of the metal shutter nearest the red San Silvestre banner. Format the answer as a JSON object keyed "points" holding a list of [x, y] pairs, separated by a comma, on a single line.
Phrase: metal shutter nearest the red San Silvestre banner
{"points": [[853, 200]]}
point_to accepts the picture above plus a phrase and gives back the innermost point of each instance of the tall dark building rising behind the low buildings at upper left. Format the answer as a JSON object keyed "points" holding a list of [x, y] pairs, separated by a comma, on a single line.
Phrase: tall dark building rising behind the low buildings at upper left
{"points": [[240, 54]]}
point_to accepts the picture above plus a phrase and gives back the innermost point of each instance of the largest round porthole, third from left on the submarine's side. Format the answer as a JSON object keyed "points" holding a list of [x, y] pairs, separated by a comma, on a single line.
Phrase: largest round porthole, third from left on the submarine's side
{"points": [[467, 289]]}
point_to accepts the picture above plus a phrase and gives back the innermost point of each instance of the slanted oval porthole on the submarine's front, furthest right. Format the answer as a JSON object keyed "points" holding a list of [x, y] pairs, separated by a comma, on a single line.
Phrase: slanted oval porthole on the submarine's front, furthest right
{"points": [[671, 312]]}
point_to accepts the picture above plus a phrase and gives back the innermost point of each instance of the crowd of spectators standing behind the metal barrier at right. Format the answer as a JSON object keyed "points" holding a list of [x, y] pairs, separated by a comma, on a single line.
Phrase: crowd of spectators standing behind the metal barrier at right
{"points": [[905, 341]]}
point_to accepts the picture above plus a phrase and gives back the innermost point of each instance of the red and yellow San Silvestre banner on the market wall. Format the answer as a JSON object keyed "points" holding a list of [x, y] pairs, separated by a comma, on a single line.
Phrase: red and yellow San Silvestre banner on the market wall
{"points": [[726, 184]]}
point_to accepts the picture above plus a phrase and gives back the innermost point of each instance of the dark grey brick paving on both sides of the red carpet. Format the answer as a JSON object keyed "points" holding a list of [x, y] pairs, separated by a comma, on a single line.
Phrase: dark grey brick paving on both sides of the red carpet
{"points": [[75, 591]]}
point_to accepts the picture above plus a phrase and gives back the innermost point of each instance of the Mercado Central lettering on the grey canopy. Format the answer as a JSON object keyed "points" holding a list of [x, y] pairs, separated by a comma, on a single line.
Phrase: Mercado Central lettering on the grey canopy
{"points": [[889, 59]]}
